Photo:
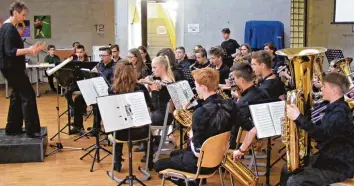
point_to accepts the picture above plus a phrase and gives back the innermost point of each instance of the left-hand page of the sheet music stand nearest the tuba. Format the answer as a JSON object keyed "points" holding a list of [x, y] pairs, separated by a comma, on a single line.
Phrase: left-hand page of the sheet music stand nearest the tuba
{"points": [[262, 120]]}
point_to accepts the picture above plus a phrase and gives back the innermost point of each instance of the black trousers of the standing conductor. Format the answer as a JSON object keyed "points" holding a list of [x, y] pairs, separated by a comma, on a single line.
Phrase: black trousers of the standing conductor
{"points": [[23, 104]]}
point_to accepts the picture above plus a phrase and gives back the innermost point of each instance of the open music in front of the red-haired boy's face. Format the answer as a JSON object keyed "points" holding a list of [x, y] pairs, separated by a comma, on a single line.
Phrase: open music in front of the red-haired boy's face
{"points": [[181, 94]]}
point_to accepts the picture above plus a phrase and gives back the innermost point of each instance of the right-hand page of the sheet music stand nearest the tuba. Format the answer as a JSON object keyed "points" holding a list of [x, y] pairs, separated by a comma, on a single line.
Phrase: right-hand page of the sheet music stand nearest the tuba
{"points": [[277, 110]]}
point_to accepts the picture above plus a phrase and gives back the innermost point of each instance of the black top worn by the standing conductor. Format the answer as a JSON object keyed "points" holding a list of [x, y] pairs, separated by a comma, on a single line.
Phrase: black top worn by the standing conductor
{"points": [[10, 41]]}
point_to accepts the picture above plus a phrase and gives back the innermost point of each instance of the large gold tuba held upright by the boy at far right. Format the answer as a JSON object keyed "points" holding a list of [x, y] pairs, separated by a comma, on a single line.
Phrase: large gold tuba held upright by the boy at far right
{"points": [[302, 61]]}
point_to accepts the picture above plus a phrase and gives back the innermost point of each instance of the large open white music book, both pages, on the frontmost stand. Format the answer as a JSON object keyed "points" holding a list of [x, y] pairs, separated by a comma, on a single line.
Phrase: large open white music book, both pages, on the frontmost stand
{"points": [[123, 111]]}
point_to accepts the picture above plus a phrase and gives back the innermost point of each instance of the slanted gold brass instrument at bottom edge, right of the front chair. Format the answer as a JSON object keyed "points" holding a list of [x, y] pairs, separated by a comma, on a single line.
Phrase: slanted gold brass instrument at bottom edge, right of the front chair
{"points": [[239, 171]]}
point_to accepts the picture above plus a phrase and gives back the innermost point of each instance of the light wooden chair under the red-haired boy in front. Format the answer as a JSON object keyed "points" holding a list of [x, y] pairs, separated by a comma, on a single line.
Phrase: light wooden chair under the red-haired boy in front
{"points": [[212, 153]]}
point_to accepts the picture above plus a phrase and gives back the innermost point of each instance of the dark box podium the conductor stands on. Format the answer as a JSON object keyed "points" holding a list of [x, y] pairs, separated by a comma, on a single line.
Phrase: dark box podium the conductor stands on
{"points": [[21, 149]]}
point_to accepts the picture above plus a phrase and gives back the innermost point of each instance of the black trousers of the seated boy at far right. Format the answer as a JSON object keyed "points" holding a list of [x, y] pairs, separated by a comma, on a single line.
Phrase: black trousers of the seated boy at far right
{"points": [[310, 176]]}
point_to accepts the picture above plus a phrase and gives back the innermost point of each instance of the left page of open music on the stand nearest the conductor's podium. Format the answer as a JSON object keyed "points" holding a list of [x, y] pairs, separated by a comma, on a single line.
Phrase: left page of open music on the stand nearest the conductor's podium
{"points": [[88, 91]]}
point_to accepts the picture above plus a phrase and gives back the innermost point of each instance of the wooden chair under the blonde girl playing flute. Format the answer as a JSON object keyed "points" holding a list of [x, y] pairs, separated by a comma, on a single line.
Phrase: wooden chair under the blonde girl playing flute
{"points": [[164, 130]]}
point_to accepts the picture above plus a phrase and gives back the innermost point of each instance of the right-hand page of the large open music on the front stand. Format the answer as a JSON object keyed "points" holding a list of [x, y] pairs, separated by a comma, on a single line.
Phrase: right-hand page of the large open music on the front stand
{"points": [[138, 108]]}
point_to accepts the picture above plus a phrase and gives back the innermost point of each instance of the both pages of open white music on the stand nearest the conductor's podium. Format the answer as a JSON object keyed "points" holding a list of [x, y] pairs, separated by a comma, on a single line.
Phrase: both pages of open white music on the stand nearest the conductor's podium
{"points": [[93, 88]]}
